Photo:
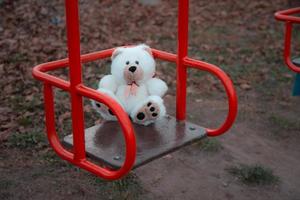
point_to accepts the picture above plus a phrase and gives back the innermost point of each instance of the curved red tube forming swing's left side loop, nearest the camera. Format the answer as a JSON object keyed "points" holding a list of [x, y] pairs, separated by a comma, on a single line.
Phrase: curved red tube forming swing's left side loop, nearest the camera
{"points": [[83, 163]]}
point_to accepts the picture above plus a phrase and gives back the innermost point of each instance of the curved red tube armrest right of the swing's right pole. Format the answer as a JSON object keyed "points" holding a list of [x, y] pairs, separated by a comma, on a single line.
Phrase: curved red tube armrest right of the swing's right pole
{"points": [[230, 91]]}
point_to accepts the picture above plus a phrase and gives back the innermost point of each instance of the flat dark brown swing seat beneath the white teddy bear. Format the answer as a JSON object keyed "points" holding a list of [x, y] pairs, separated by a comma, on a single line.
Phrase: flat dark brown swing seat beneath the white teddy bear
{"points": [[105, 142]]}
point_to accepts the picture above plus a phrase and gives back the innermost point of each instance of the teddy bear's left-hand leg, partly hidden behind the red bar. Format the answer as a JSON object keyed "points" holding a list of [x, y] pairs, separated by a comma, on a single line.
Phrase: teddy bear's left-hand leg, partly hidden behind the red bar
{"points": [[102, 109]]}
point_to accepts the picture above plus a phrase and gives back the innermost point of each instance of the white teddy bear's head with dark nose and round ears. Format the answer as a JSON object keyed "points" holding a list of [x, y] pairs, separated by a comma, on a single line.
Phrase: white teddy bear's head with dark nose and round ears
{"points": [[132, 65]]}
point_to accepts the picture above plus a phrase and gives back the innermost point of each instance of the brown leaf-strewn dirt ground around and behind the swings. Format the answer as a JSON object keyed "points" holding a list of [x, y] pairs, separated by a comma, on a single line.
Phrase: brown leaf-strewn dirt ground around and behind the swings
{"points": [[241, 37]]}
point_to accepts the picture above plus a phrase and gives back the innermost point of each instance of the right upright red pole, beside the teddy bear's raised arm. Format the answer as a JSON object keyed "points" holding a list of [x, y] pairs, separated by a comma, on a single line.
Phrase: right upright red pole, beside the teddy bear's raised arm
{"points": [[182, 50]]}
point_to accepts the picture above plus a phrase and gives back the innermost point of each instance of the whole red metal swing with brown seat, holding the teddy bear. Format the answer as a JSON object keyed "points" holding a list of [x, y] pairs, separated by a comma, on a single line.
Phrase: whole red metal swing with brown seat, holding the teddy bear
{"points": [[105, 142]]}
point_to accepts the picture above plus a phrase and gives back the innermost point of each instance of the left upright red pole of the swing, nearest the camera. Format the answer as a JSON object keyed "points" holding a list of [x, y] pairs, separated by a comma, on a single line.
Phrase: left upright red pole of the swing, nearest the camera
{"points": [[73, 36]]}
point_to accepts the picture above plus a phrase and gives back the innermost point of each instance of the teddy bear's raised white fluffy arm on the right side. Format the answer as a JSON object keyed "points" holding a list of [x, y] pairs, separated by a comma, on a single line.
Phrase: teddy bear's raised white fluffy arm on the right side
{"points": [[157, 87]]}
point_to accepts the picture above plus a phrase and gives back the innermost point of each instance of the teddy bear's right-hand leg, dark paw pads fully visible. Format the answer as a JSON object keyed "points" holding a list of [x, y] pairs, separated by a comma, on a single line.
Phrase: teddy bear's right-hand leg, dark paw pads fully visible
{"points": [[148, 111]]}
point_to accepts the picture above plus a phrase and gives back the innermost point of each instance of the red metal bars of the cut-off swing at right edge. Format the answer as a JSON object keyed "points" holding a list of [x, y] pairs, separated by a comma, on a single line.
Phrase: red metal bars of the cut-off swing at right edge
{"points": [[286, 15]]}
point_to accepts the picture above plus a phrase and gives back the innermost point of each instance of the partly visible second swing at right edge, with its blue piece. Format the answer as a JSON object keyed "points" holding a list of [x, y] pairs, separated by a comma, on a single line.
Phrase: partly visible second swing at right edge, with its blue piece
{"points": [[288, 16]]}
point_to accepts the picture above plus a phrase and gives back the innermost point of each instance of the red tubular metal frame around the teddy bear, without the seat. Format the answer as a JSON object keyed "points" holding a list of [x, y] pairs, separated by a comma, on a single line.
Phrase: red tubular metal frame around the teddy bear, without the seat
{"points": [[78, 90]]}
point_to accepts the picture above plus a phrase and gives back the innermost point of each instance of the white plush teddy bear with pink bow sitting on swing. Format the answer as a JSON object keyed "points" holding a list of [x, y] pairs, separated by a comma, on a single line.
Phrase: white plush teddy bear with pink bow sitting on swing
{"points": [[132, 83]]}
